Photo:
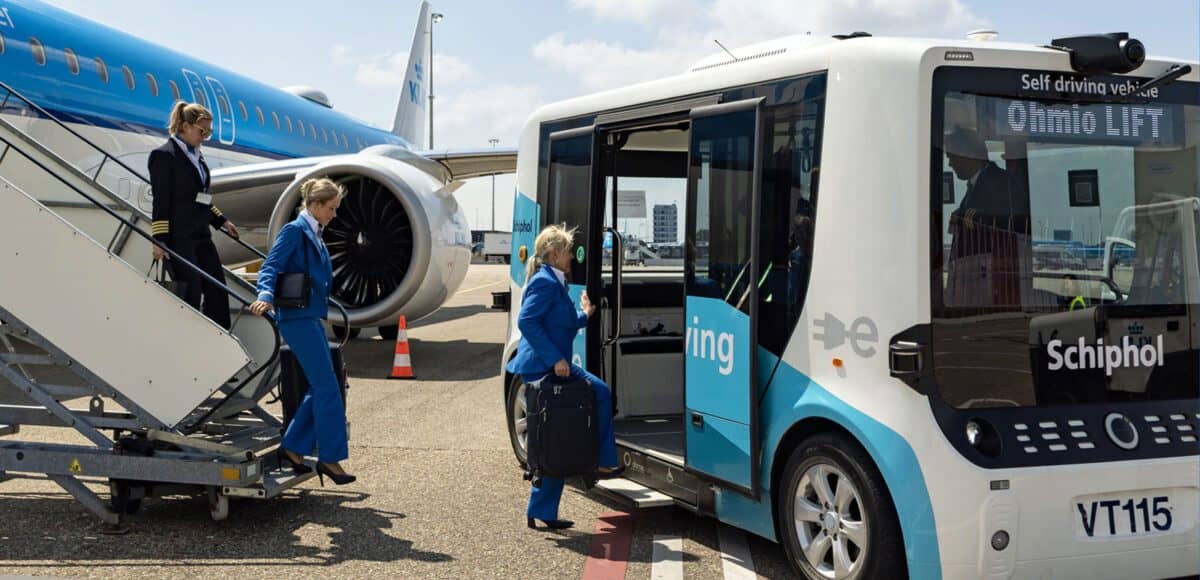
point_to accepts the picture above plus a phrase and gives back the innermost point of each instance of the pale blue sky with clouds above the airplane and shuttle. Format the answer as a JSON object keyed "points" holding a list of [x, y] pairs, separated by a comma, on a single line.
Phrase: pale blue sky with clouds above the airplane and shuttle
{"points": [[499, 61]]}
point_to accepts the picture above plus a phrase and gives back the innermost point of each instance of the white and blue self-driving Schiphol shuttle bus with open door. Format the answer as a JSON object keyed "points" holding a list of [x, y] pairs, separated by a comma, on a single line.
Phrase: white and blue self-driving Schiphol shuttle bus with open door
{"points": [[866, 357]]}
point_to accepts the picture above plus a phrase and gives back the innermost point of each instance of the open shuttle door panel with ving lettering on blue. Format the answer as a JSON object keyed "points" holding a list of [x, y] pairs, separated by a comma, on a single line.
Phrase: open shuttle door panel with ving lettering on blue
{"points": [[721, 274]]}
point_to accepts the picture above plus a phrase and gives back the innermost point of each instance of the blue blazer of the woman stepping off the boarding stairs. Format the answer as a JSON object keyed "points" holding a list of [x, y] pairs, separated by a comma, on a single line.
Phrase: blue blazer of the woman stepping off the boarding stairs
{"points": [[289, 256]]}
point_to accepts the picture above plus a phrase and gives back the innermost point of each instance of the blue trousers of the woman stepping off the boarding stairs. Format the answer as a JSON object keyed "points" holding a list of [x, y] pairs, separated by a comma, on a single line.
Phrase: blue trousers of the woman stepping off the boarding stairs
{"points": [[321, 420]]}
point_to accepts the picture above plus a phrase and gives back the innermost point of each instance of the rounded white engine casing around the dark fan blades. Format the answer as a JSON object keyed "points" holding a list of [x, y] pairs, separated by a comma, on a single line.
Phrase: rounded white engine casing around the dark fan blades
{"points": [[400, 243]]}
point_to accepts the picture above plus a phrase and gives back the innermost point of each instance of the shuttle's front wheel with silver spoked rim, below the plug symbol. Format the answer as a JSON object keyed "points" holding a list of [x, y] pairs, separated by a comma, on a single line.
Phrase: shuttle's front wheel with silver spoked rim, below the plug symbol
{"points": [[869, 506]]}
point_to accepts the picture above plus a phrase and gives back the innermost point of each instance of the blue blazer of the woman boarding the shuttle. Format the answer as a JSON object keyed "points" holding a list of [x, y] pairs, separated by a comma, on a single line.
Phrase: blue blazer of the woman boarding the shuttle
{"points": [[549, 322]]}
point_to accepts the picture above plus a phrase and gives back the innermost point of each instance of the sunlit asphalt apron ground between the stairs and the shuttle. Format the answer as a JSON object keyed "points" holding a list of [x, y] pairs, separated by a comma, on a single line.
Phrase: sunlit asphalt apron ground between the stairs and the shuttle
{"points": [[440, 494]]}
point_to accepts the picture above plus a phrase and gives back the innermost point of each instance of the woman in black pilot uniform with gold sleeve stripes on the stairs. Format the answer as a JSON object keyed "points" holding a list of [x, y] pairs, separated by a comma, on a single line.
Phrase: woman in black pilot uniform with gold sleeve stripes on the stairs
{"points": [[183, 211]]}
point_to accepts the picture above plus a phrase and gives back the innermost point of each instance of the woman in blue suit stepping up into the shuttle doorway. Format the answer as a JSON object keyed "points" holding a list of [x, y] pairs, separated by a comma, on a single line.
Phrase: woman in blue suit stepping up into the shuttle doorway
{"points": [[549, 322]]}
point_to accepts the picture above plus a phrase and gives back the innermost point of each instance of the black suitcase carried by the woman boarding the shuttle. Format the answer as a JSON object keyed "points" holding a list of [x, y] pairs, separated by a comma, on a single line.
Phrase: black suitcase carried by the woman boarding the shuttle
{"points": [[562, 438]]}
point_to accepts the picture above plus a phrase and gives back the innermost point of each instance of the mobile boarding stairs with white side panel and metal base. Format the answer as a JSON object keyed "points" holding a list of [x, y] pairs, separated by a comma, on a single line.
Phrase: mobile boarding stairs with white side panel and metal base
{"points": [[166, 399]]}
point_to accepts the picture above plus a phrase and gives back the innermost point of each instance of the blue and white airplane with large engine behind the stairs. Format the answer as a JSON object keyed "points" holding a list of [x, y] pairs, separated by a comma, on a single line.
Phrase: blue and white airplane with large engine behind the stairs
{"points": [[401, 244]]}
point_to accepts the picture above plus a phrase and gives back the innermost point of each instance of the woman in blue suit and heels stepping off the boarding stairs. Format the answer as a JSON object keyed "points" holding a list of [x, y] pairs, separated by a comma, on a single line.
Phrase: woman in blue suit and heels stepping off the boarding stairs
{"points": [[321, 420]]}
